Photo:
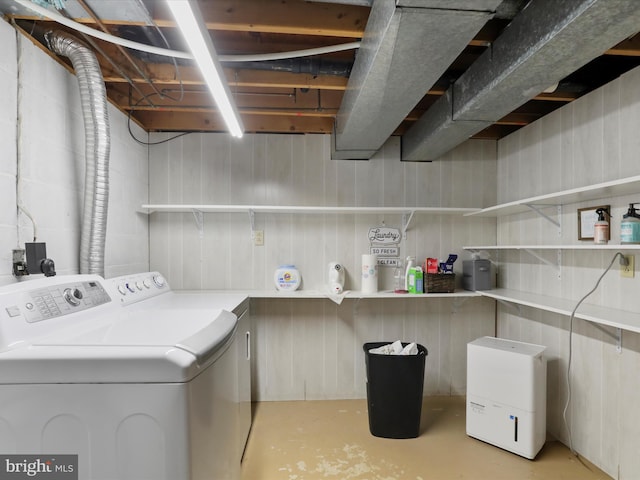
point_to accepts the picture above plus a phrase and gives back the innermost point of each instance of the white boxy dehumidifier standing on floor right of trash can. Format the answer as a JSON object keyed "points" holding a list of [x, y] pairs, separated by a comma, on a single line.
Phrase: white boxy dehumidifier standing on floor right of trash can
{"points": [[507, 394]]}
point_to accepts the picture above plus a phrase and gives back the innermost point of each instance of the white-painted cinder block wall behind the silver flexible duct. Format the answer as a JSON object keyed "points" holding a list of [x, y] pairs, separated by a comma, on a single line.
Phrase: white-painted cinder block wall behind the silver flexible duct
{"points": [[42, 138]]}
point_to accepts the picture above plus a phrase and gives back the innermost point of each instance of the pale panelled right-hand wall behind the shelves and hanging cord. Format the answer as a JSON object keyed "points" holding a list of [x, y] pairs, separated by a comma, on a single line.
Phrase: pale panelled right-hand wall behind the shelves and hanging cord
{"points": [[591, 140]]}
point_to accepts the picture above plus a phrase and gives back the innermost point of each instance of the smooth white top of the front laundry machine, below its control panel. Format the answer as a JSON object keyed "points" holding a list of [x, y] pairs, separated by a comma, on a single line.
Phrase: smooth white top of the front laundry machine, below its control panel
{"points": [[142, 346]]}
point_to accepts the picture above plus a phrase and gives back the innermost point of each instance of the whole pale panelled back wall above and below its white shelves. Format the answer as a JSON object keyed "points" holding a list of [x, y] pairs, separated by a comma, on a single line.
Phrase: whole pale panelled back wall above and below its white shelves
{"points": [[313, 348]]}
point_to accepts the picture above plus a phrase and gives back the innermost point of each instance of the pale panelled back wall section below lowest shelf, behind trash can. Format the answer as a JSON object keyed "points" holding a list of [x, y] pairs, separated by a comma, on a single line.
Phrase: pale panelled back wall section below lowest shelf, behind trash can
{"points": [[313, 349]]}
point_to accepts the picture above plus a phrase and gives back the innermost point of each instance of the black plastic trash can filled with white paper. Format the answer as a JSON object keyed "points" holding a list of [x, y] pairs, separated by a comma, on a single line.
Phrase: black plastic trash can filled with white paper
{"points": [[394, 392]]}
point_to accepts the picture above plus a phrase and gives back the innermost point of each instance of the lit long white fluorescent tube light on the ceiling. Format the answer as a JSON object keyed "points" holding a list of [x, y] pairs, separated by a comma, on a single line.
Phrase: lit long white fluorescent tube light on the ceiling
{"points": [[194, 30]]}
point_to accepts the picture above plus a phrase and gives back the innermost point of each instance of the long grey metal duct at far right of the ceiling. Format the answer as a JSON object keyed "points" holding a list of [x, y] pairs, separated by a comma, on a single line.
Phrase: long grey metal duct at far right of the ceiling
{"points": [[536, 50]]}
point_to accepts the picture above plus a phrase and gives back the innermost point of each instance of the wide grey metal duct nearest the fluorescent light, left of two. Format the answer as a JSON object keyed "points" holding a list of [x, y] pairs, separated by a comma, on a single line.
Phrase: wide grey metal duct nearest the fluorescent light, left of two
{"points": [[407, 45]]}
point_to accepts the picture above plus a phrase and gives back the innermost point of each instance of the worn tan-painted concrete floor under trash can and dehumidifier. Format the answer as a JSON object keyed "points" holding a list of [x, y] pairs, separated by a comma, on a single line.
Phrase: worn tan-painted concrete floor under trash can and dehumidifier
{"points": [[310, 440]]}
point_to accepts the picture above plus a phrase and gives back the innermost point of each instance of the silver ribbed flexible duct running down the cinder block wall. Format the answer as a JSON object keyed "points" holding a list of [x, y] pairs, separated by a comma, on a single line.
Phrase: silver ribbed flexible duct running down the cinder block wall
{"points": [[93, 97]]}
